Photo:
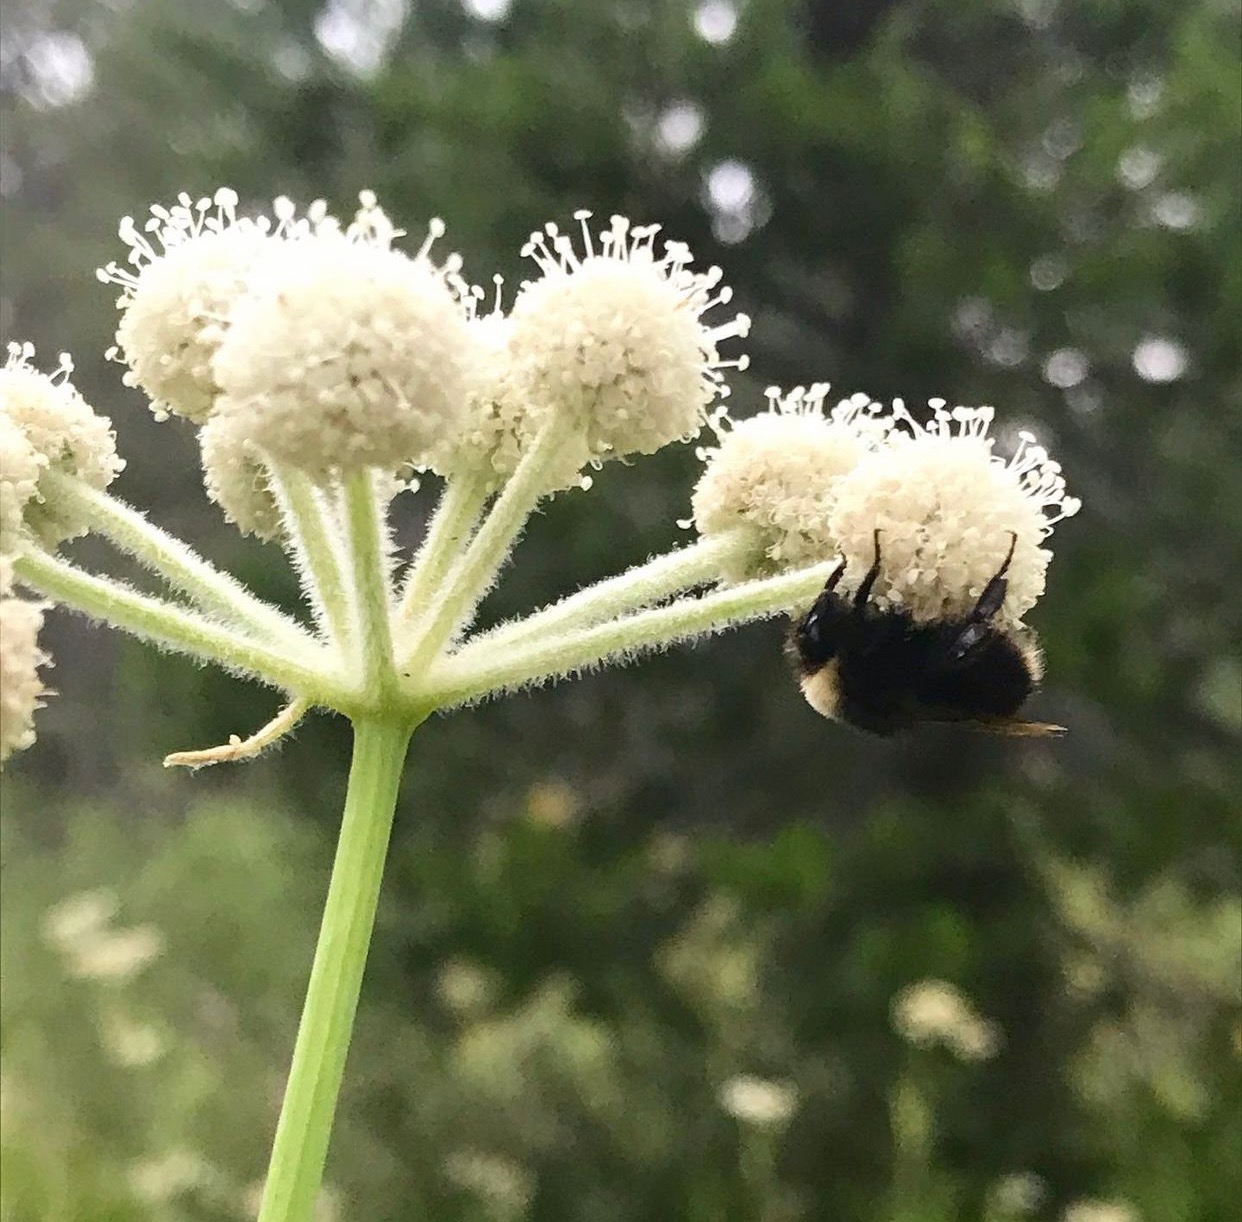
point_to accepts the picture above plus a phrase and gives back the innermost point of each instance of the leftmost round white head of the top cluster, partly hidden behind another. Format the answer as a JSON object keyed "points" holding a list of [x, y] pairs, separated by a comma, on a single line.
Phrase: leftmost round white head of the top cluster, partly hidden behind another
{"points": [[191, 265]]}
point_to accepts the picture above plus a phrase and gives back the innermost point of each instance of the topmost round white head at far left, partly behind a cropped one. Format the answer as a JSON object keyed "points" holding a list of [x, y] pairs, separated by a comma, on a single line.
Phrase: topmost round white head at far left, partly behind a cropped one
{"points": [[63, 432]]}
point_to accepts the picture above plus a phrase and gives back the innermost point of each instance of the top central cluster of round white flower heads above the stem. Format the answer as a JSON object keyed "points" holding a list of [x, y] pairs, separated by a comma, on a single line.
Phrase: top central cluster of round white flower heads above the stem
{"points": [[305, 345]]}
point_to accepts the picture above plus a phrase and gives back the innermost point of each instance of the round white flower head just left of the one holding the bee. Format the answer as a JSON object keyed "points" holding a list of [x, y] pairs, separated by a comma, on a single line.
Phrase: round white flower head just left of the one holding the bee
{"points": [[774, 476]]}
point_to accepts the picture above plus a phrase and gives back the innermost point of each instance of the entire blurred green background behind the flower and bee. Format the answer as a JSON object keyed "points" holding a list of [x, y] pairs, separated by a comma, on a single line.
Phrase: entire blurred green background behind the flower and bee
{"points": [[609, 901]]}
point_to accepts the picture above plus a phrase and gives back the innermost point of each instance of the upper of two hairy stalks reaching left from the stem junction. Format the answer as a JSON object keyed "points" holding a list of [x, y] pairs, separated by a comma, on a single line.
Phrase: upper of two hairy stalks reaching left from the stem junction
{"points": [[214, 592]]}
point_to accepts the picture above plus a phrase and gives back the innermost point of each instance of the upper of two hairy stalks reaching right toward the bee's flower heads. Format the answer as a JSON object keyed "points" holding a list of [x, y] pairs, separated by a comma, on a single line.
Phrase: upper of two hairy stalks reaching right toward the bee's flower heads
{"points": [[699, 564]]}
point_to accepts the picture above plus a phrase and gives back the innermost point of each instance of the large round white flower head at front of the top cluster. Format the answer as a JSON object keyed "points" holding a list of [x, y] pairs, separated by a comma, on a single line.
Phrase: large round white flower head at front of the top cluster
{"points": [[346, 353]]}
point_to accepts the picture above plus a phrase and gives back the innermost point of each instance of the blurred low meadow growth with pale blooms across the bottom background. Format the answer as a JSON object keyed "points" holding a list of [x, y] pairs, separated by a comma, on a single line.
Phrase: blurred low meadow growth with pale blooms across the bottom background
{"points": [[558, 1029]]}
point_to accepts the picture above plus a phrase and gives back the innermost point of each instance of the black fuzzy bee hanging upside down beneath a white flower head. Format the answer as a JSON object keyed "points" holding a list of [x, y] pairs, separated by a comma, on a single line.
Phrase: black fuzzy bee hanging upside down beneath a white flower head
{"points": [[884, 672]]}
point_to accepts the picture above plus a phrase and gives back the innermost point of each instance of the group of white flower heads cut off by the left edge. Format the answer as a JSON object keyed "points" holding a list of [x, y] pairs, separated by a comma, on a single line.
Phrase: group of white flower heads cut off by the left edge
{"points": [[45, 428]]}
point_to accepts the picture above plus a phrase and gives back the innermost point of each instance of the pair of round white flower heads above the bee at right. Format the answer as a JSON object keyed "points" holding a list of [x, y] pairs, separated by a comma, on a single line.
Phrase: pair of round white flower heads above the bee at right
{"points": [[805, 485]]}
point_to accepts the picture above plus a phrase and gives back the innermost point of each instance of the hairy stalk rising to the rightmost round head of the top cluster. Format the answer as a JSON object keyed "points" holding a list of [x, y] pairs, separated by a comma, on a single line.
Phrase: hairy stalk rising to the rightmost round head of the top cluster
{"points": [[474, 574]]}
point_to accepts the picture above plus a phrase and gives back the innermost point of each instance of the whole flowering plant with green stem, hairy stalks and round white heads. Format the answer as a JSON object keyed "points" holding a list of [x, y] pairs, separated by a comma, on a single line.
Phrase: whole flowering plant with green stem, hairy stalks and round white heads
{"points": [[322, 366]]}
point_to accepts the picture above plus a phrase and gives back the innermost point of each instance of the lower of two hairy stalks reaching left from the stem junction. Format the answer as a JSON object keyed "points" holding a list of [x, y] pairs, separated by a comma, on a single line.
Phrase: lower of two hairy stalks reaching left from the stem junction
{"points": [[177, 629]]}
